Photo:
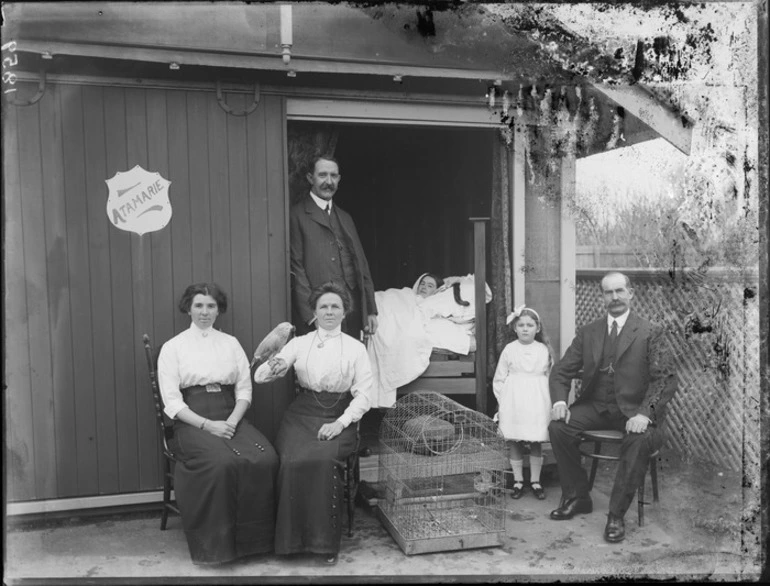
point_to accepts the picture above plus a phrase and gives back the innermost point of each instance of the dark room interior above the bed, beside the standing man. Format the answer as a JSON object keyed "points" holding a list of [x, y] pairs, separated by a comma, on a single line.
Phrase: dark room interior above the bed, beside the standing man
{"points": [[411, 191]]}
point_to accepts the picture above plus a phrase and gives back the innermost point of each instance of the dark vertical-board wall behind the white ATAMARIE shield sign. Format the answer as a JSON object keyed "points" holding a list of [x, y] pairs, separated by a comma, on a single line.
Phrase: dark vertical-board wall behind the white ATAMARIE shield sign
{"points": [[79, 293]]}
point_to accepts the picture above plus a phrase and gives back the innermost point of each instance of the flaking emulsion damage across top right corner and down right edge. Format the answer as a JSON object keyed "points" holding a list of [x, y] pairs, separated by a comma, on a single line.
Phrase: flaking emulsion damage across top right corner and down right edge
{"points": [[701, 229]]}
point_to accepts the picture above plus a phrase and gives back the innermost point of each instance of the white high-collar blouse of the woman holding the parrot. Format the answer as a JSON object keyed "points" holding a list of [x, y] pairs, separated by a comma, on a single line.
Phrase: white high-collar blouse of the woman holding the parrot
{"points": [[333, 362]]}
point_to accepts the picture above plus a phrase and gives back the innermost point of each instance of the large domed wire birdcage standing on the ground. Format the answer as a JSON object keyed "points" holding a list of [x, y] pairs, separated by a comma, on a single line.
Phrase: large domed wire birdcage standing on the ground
{"points": [[442, 470]]}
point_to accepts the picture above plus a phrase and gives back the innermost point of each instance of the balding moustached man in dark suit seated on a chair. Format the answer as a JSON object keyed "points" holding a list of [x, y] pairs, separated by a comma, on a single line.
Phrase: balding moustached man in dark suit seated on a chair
{"points": [[627, 379]]}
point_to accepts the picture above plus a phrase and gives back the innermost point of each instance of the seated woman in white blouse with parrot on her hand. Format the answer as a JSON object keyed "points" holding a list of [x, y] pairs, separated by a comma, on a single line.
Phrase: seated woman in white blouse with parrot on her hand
{"points": [[317, 432]]}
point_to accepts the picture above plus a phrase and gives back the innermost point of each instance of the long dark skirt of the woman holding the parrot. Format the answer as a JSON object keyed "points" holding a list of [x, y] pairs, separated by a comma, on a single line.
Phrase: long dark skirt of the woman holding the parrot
{"points": [[310, 479]]}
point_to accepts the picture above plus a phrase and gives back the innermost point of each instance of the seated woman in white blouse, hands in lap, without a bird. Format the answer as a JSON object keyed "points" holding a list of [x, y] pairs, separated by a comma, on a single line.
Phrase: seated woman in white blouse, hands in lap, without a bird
{"points": [[225, 472]]}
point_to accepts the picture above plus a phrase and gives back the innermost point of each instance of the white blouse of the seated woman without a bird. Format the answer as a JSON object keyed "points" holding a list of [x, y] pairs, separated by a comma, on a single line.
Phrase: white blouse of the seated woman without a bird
{"points": [[199, 357]]}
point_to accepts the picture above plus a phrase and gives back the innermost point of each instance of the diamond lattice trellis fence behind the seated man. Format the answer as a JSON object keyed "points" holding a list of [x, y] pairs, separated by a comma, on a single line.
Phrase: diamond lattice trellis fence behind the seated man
{"points": [[712, 330]]}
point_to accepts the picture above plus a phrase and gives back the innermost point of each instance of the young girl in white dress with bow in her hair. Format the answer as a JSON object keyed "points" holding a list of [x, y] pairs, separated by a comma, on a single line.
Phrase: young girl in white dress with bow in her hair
{"points": [[521, 388]]}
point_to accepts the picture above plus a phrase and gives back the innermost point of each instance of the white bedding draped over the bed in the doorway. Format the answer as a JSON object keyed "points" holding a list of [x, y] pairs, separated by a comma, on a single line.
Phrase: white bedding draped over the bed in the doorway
{"points": [[409, 327]]}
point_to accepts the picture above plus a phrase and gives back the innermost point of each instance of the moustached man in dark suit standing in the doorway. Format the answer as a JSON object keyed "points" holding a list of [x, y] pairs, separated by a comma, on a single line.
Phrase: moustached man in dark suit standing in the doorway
{"points": [[325, 247]]}
